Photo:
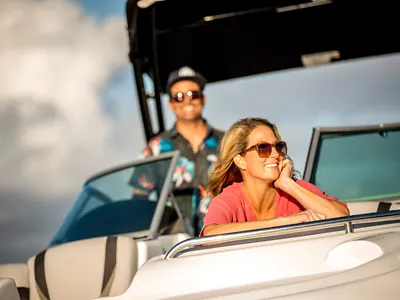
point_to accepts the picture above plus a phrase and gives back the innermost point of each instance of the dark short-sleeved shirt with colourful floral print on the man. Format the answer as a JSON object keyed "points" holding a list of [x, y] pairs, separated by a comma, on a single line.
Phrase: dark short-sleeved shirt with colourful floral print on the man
{"points": [[191, 172]]}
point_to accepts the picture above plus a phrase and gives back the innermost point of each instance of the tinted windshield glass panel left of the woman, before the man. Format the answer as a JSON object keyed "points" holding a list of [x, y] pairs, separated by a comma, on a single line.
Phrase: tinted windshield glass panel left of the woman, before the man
{"points": [[108, 205]]}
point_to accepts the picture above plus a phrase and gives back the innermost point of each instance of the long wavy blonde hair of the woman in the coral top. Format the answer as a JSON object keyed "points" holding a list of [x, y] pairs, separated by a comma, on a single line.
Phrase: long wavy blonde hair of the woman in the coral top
{"points": [[224, 172]]}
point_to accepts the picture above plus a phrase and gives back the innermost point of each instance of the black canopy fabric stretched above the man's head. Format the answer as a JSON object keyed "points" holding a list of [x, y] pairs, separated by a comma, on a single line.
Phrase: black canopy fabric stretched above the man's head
{"points": [[230, 39]]}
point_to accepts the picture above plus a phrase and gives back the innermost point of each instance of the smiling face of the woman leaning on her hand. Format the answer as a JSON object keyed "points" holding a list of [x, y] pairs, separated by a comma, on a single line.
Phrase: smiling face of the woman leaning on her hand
{"points": [[265, 169]]}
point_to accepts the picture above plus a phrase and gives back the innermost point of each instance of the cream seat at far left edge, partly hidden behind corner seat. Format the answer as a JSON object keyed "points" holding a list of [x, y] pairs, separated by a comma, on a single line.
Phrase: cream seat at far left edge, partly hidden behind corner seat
{"points": [[18, 272]]}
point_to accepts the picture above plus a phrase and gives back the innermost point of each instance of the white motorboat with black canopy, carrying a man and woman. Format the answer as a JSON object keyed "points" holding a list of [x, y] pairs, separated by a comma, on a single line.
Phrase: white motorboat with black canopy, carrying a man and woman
{"points": [[118, 246]]}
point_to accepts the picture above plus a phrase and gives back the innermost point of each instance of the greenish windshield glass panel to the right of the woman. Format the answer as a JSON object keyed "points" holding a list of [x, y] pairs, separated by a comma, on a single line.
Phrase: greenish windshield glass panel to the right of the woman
{"points": [[359, 167]]}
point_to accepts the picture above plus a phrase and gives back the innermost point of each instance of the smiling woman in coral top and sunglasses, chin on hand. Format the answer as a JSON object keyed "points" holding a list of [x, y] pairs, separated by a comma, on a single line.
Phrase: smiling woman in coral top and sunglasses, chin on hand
{"points": [[253, 187]]}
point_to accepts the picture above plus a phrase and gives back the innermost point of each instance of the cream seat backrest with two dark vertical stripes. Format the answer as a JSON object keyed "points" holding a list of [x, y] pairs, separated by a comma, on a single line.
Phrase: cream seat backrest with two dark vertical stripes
{"points": [[83, 270]]}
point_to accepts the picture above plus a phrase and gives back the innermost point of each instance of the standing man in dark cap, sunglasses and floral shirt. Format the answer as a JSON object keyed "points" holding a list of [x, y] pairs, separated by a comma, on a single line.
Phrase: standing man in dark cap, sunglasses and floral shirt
{"points": [[196, 140]]}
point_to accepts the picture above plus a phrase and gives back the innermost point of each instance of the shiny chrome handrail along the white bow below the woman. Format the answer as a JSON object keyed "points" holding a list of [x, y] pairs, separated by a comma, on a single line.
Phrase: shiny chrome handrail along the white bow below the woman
{"points": [[347, 225]]}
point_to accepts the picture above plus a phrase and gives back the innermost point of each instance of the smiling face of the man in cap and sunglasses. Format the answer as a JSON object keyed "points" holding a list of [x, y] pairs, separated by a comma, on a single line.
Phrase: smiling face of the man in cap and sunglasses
{"points": [[186, 100]]}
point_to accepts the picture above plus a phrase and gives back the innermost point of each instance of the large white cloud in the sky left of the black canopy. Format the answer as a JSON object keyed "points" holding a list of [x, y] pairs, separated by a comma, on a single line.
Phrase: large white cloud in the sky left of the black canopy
{"points": [[54, 61]]}
